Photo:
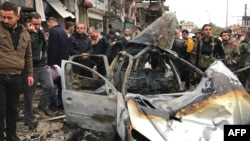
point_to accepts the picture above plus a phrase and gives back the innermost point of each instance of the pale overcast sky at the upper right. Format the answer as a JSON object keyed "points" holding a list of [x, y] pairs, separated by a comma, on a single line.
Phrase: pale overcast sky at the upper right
{"points": [[201, 11]]}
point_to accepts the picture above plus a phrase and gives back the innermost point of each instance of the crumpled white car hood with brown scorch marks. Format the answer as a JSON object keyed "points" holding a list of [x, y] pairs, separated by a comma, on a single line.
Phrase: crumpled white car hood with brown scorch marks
{"points": [[219, 99]]}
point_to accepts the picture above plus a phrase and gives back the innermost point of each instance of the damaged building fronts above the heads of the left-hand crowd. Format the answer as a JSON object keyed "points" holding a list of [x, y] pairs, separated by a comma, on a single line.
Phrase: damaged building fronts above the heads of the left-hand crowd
{"points": [[104, 15]]}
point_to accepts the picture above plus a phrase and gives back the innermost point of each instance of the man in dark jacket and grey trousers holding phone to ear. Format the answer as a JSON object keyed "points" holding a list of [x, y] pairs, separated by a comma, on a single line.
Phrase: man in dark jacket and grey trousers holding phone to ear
{"points": [[41, 72]]}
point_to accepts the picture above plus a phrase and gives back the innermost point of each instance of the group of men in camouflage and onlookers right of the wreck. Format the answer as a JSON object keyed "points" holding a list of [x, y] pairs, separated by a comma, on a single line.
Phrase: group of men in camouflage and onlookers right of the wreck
{"points": [[204, 48]]}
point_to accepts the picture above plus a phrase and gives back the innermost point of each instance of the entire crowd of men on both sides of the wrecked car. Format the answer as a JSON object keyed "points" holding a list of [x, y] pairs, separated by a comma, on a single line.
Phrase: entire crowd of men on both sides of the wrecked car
{"points": [[28, 55]]}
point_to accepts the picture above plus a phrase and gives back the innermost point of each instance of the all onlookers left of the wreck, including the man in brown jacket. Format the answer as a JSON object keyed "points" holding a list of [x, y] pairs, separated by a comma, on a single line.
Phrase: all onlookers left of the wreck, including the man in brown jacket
{"points": [[30, 53]]}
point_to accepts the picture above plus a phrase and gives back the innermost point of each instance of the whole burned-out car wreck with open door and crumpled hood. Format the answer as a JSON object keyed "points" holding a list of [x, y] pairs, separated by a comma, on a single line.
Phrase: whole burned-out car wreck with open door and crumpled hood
{"points": [[144, 103]]}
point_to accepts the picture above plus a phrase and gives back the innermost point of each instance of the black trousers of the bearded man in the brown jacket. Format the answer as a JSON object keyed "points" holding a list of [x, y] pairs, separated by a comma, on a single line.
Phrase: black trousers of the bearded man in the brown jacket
{"points": [[10, 86]]}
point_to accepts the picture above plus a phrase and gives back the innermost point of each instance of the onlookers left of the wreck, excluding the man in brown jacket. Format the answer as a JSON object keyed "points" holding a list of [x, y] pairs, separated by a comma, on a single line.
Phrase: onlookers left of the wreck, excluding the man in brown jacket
{"points": [[60, 43]]}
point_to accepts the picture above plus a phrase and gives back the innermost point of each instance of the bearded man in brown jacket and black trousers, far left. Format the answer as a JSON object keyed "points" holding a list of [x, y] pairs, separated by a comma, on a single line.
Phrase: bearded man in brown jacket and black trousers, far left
{"points": [[16, 55]]}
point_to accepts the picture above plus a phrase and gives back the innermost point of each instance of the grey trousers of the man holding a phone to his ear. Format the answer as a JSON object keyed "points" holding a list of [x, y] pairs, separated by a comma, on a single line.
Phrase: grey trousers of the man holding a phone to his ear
{"points": [[43, 76]]}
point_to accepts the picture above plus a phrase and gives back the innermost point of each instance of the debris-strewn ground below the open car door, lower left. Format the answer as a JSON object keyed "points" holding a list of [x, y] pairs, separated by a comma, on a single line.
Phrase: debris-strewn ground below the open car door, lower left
{"points": [[52, 128]]}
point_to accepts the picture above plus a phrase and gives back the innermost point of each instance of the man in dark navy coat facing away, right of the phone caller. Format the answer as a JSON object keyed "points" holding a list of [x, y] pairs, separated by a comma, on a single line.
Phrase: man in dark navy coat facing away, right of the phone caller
{"points": [[58, 50]]}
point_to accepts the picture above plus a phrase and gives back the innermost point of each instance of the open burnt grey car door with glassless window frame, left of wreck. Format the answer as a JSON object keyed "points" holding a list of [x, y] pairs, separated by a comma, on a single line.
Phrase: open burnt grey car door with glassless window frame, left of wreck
{"points": [[89, 99]]}
